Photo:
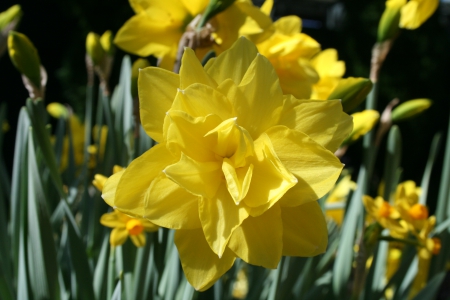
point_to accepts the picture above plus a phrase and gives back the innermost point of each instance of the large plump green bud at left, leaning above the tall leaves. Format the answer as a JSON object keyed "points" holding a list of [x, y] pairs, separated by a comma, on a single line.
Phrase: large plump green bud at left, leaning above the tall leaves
{"points": [[24, 56]]}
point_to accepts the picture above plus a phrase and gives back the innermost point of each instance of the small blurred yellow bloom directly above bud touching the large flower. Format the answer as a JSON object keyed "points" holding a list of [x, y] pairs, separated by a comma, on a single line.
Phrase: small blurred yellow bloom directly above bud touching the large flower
{"points": [[330, 71]]}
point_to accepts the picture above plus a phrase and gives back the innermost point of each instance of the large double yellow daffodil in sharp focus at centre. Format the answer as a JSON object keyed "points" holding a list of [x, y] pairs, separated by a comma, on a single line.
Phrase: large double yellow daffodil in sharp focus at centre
{"points": [[238, 167]]}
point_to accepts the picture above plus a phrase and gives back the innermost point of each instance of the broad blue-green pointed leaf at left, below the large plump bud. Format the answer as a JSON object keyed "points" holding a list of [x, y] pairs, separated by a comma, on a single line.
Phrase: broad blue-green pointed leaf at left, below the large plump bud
{"points": [[42, 264]]}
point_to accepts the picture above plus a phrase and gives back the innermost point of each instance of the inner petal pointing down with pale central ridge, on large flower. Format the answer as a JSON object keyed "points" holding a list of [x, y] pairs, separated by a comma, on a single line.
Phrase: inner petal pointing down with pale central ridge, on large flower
{"points": [[220, 216]]}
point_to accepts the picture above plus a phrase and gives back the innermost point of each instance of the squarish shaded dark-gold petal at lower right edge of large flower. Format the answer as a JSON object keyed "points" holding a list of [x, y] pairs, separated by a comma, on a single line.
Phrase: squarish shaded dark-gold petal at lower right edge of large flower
{"points": [[304, 230]]}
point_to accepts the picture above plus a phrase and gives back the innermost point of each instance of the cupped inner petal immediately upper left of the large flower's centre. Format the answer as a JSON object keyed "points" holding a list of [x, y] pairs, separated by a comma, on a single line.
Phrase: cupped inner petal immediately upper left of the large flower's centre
{"points": [[187, 134]]}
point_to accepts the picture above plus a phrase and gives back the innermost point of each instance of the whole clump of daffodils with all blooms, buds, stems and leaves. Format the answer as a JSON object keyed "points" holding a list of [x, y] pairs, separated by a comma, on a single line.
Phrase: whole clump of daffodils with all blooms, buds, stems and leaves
{"points": [[231, 148]]}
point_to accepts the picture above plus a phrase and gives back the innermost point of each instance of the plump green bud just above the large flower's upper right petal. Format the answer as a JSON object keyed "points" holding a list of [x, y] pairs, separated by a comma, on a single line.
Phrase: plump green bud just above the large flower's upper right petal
{"points": [[352, 91]]}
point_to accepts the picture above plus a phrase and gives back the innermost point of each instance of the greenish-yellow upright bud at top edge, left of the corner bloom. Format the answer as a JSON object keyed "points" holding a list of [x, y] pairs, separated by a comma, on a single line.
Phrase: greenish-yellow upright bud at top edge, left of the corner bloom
{"points": [[388, 27]]}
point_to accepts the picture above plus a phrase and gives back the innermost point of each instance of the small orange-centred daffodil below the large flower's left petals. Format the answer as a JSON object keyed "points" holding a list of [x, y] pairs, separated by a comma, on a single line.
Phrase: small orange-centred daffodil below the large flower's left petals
{"points": [[125, 226]]}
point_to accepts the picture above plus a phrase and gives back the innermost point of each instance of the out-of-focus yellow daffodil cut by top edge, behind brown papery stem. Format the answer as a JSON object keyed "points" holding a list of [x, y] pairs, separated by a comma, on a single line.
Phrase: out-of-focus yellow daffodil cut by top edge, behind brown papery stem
{"points": [[157, 26]]}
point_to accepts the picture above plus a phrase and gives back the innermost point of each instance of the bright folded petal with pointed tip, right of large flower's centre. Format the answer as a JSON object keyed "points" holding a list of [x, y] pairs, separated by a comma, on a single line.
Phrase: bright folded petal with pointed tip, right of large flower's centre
{"points": [[270, 178]]}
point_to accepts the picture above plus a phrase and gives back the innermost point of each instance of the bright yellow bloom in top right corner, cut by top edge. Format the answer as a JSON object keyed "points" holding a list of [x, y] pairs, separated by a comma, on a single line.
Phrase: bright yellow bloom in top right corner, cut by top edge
{"points": [[415, 12]]}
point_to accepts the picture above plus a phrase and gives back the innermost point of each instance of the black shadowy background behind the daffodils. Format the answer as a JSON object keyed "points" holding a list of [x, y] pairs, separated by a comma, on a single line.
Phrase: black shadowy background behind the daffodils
{"points": [[416, 67]]}
